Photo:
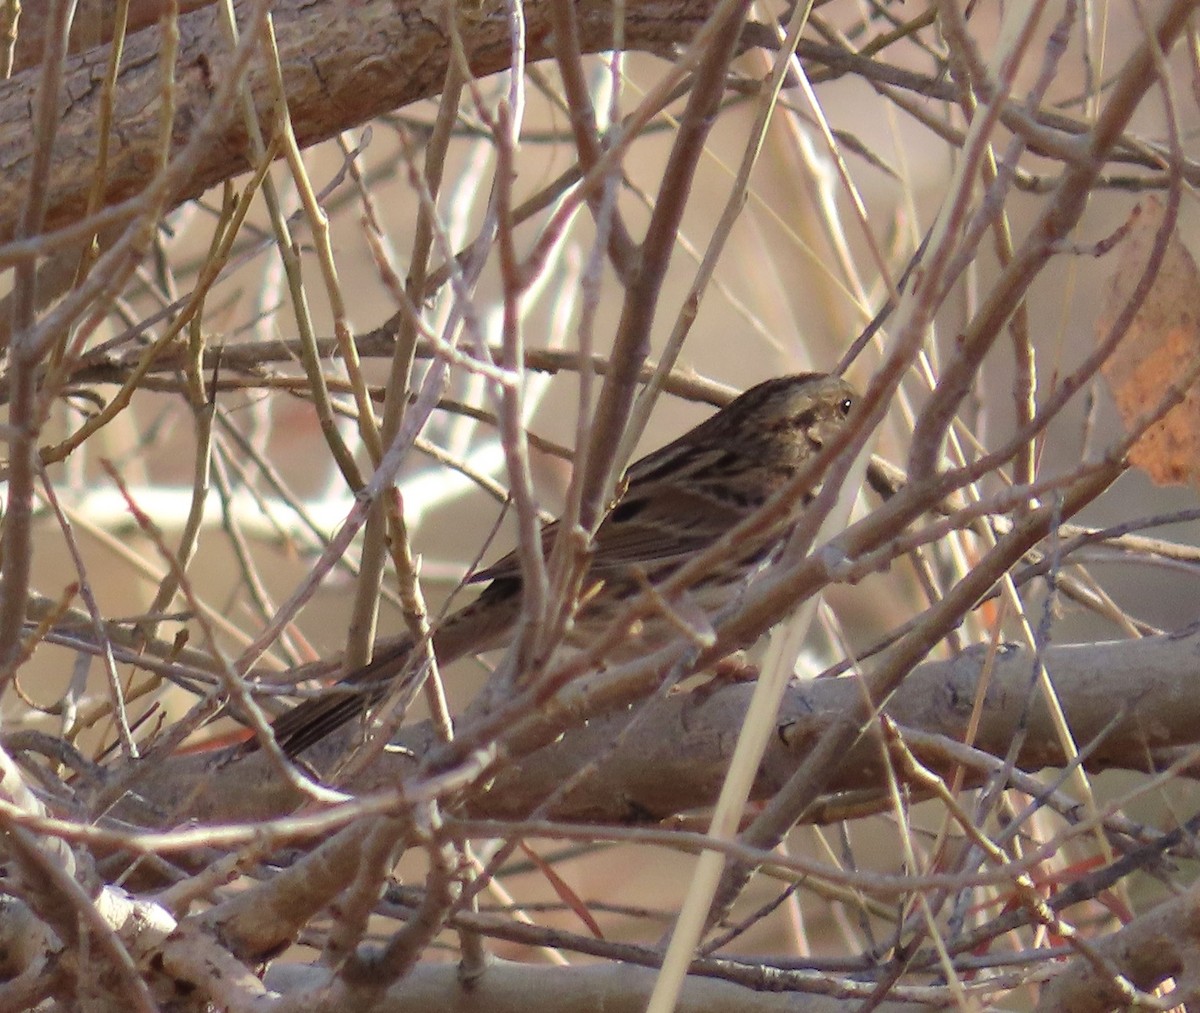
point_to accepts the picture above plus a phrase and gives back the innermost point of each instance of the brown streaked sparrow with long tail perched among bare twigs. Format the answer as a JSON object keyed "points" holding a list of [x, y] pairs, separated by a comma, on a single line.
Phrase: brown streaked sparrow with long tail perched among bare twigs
{"points": [[674, 503]]}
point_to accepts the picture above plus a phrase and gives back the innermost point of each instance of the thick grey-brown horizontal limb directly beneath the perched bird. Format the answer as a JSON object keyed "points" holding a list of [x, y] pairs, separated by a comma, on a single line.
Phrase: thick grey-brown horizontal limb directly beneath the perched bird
{"points": [[677, 756]]}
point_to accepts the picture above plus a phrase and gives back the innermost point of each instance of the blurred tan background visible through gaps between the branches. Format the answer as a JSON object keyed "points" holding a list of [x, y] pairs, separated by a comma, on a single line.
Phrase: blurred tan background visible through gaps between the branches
{"points": [[799, 280]]}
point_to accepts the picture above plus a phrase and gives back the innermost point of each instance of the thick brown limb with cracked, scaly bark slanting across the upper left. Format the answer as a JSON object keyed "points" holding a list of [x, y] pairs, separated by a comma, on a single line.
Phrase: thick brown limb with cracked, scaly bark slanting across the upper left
{"points": [[343, 64]]}
